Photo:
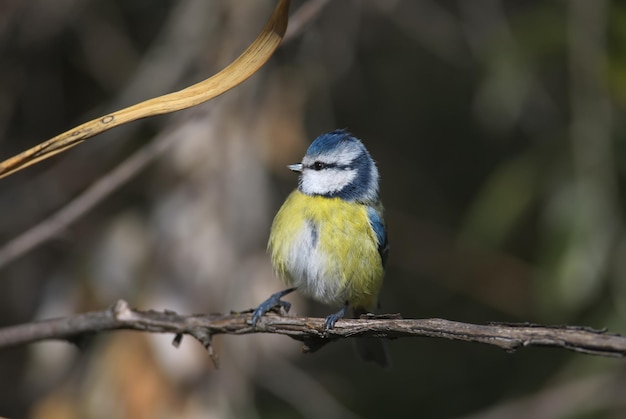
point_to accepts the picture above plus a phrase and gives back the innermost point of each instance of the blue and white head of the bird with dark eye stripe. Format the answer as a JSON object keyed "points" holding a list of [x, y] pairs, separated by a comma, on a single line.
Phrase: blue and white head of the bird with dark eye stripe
{"points": [[337, 164]]}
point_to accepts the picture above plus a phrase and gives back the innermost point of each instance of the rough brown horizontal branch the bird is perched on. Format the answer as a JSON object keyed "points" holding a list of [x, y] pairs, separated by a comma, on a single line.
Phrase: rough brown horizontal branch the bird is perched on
{"points": [[311, 330]]}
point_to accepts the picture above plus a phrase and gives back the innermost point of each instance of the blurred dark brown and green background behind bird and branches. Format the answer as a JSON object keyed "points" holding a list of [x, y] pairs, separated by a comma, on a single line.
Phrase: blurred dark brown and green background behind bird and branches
{"points": [[497, 127]]}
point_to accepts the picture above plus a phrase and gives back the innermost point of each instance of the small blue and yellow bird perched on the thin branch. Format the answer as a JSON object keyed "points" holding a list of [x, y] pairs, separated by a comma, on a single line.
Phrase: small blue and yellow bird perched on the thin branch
{"points": [[328, 241]]}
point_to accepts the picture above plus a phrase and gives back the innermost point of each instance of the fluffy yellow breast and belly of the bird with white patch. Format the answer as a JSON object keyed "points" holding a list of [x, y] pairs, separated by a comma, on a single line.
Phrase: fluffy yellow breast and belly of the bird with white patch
{"points": [[327, 248]]}
